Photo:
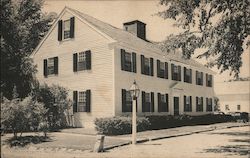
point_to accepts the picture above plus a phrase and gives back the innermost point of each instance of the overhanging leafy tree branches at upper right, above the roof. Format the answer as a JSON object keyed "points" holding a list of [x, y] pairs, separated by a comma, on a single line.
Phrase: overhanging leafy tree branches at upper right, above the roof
{"points": [[219, 26]]}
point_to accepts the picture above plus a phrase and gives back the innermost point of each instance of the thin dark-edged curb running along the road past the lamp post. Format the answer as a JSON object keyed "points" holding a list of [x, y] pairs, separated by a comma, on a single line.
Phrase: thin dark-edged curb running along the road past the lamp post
{"points": [[172, 136]]}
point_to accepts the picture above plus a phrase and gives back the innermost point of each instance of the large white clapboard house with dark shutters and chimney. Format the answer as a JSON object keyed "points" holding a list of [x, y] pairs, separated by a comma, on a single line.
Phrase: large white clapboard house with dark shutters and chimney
{"points": [[98, 63]]}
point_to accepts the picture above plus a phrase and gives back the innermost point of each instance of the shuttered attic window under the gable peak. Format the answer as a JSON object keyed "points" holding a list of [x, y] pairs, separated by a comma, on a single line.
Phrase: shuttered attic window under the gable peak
{"points": [[66, 29]]}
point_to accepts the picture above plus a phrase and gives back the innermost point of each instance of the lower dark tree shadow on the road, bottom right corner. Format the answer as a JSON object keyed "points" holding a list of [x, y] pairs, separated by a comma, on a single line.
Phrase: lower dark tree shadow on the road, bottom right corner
{"points": [[235, 149]]}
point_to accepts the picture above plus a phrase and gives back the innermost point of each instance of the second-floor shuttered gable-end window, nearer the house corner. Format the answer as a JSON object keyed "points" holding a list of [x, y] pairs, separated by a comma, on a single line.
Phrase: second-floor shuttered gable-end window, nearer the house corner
{"points": [[82, 61]]}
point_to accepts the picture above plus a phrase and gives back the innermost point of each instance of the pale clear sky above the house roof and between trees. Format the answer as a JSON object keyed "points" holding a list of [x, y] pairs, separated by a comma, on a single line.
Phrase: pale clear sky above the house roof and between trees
{"points": [[116, 12]]}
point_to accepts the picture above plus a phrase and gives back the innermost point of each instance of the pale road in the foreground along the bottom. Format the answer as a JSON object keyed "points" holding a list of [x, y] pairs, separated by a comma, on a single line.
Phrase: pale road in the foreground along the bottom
{"points": [[230, 143]]}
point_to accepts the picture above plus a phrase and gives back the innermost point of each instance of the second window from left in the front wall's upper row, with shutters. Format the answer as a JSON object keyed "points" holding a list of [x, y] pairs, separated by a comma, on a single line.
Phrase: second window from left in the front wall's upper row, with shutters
{"points": [[147, 66]]}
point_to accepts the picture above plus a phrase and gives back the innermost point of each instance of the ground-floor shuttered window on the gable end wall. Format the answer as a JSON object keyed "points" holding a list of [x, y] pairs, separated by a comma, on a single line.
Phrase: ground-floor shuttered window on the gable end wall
{"points": [[81, 101]]}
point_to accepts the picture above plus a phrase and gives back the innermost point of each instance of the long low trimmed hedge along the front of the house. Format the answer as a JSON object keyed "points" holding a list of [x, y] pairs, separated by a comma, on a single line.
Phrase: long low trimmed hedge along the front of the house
{"points": [[122, 125]]}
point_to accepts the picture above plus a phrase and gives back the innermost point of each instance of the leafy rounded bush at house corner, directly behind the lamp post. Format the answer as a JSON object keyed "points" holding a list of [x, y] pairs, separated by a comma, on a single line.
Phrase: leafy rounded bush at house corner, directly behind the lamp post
{"points": [[120, 125]]}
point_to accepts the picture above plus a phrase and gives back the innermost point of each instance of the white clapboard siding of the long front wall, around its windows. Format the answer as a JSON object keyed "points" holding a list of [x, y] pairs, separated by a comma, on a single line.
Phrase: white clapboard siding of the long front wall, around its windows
{"points": [[124, 79]]}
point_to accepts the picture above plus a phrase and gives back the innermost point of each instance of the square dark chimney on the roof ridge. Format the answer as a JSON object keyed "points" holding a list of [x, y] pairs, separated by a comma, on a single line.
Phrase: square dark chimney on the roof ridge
{"points": [[136, 27]]}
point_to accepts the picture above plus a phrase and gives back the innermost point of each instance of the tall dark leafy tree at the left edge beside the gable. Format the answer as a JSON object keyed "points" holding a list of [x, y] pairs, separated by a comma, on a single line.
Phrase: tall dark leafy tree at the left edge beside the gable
{"points": [[22, 26]]}
